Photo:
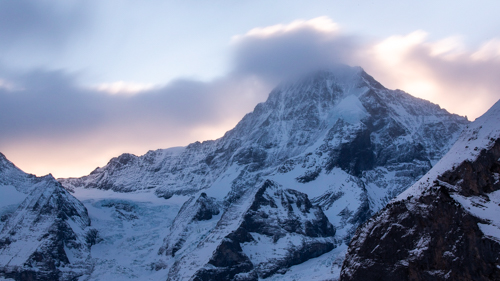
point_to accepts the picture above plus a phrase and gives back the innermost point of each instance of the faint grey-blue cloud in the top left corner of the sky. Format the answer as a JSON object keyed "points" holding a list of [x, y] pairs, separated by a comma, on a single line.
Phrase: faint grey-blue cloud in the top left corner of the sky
{"points": [[31, 30]]}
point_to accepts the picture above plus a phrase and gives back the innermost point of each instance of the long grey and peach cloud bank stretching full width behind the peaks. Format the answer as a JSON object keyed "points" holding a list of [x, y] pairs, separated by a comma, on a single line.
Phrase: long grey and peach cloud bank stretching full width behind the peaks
{"points": [[50, 123]]}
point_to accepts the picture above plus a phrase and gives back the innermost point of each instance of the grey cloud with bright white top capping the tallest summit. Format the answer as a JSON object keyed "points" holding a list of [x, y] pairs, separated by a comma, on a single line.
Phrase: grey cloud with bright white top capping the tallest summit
{"points": [[283, 51]]}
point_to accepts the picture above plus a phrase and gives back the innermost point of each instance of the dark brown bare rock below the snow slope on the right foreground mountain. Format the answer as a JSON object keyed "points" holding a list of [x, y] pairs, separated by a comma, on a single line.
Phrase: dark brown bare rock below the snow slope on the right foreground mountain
{"points": [[432, 236]]}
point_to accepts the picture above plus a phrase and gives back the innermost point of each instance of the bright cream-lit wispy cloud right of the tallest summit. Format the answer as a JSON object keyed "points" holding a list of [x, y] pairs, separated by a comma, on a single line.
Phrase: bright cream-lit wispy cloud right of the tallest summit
{"points": [[444, 72]]}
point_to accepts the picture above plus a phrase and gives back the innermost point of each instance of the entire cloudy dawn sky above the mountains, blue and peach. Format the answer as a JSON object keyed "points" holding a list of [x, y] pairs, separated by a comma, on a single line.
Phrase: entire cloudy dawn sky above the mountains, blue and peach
{"points": [[82, 81]]}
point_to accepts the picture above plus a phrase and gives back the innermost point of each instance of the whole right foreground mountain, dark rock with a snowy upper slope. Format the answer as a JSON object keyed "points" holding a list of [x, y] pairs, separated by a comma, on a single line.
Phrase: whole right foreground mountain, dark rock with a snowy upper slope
{"points": [[446, 226]]}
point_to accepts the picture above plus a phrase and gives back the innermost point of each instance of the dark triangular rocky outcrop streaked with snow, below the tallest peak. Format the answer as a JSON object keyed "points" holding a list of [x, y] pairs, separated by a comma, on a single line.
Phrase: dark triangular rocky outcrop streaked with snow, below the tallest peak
{"points": [[275, 214]]}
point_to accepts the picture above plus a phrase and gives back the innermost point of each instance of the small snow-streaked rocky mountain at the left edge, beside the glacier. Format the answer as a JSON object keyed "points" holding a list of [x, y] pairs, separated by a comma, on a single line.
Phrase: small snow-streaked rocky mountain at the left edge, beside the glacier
{"points": [[46, 232]]}
